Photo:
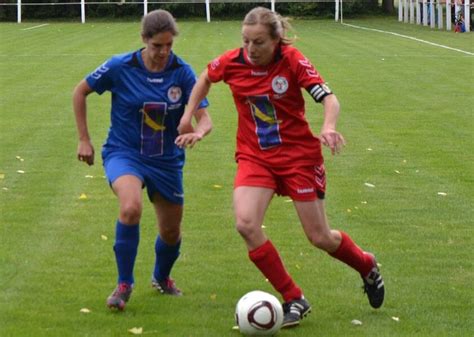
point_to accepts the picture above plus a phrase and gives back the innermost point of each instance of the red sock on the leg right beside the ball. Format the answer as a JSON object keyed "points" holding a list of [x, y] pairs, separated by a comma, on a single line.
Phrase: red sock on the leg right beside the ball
{"points": [[268, 261]]}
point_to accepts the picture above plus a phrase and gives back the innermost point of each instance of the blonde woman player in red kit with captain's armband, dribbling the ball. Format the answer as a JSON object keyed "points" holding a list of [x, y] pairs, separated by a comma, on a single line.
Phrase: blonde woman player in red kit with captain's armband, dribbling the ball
{"points": [[277, 152]]}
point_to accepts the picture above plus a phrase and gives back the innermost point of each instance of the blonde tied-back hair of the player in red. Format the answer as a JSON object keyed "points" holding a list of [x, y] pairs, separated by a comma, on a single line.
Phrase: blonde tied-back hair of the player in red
{"points": [[277, 25]]}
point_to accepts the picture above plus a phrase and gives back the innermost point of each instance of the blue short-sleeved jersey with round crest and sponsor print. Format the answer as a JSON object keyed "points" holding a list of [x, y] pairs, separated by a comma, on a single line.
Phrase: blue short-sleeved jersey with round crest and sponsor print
{"points": [[146, 106]]}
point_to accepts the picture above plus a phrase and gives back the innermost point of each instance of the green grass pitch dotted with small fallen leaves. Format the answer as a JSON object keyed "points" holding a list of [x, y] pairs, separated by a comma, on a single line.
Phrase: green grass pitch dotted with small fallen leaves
{"points": [[408, 118]]}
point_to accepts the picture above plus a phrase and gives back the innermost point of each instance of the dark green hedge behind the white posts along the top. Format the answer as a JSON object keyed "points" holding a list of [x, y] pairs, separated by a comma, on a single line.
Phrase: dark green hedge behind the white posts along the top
{"points": [[227, 10]]}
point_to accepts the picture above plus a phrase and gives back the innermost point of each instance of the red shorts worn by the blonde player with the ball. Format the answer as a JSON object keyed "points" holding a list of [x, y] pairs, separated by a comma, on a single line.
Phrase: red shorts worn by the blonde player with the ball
{"points": [[301, 183]]}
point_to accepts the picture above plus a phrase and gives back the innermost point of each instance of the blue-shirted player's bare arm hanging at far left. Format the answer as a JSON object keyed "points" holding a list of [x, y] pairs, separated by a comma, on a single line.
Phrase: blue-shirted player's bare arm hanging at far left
{"points": [[85, 149]]}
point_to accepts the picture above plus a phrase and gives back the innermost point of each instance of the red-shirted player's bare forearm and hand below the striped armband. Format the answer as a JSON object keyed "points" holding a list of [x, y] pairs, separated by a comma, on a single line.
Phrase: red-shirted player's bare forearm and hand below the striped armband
{"points": [[329, 136]]}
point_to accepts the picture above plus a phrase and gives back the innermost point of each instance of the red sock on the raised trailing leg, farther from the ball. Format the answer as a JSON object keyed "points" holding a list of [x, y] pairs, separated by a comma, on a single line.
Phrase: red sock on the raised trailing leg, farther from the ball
{"points": [[351, 254]]}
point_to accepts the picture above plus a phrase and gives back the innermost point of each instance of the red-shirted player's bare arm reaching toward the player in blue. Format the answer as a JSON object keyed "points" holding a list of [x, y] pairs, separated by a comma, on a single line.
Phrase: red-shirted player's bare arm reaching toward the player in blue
{"points": [[199, 92]]}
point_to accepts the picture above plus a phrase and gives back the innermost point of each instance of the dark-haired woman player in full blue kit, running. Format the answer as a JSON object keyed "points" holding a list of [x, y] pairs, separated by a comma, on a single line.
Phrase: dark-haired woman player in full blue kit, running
{"points": [[150, 88]]}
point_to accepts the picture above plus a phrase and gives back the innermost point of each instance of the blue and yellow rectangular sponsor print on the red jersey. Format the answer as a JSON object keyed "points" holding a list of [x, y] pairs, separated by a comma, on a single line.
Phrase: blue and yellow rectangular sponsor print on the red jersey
{"points": [[266, 121]]}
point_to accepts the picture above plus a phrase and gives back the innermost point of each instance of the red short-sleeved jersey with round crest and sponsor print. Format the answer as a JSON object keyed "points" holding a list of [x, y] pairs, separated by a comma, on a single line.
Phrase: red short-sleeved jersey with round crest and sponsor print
{"points": [[272, 128]]}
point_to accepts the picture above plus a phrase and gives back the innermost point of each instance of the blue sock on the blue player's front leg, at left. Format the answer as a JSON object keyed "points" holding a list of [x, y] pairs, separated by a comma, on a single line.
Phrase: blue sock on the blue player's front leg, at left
{"points": [[125, 248]]}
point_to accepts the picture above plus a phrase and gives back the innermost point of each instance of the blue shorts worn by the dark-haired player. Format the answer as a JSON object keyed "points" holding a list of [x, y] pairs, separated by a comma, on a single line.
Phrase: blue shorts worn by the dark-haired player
{"points": [[165, 181]]}
